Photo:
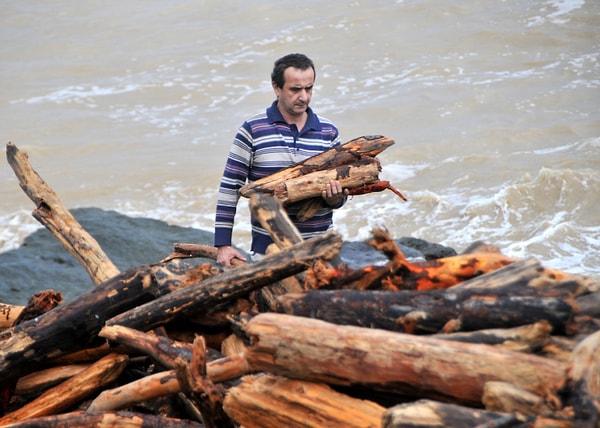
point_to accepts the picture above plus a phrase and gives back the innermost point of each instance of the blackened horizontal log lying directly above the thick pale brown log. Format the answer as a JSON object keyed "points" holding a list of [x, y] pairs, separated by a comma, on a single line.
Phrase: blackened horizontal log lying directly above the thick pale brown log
{"points": [[433, 311]]}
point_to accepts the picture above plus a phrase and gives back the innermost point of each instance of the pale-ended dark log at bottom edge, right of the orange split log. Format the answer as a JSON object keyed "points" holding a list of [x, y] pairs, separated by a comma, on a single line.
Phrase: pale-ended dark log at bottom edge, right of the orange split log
{"points": [[432, 414]]}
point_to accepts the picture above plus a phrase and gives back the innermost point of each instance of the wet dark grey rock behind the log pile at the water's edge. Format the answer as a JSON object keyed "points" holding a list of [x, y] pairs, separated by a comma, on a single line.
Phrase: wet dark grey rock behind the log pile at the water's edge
{"points": [[42, 263]]}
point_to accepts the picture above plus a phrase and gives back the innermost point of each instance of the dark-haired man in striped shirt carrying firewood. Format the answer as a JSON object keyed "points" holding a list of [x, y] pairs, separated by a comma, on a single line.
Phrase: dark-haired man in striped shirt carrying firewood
{"points": [[286, 133]]}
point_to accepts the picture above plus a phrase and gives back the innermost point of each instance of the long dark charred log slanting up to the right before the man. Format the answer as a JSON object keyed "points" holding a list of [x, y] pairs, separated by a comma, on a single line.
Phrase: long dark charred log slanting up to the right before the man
{"points": [[230, 284]]}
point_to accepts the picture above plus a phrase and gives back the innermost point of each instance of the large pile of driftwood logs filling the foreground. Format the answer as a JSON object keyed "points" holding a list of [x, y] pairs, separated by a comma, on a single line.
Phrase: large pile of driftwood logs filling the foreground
{"points": [[474, 340]]}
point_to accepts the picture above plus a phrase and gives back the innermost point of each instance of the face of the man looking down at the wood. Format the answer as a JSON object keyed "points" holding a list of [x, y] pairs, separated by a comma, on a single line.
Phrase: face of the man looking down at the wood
{"points": [[295, 95]]}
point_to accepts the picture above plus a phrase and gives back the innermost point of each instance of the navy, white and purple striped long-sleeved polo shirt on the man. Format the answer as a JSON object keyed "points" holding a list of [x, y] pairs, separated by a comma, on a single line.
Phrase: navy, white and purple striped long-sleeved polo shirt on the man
{"points": [[263, 145]]}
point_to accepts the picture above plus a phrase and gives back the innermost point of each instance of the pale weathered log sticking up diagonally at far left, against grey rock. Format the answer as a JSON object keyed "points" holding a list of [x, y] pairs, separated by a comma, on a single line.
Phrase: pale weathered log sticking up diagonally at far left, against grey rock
{"points": [[50, 212]]}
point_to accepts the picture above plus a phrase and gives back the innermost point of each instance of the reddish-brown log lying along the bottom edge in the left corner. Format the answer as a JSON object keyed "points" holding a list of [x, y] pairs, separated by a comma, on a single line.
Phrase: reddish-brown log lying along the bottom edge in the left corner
{"points": [[105, 420]]}
